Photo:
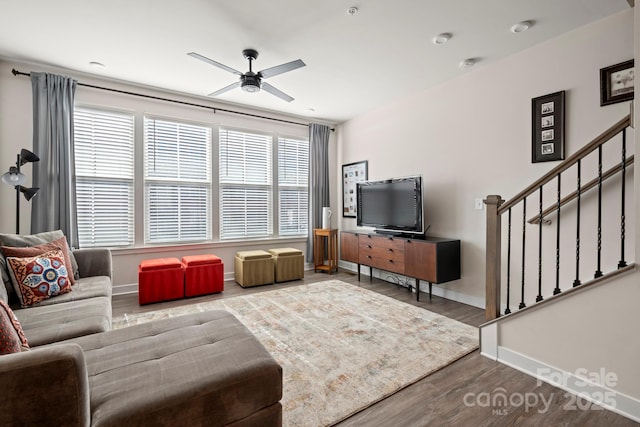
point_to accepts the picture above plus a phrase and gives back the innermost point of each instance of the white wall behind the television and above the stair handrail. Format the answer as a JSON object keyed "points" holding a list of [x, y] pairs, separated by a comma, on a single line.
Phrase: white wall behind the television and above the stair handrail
{"points": [[471, 137]]}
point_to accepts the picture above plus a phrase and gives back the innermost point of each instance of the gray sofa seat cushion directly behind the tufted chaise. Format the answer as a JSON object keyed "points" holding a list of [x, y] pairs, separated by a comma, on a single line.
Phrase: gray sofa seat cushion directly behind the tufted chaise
{"points": [[52, 323]]}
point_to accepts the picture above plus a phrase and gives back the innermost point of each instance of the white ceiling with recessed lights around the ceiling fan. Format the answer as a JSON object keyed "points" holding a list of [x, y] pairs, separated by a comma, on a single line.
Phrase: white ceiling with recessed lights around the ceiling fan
{"points": [[355, 63]]}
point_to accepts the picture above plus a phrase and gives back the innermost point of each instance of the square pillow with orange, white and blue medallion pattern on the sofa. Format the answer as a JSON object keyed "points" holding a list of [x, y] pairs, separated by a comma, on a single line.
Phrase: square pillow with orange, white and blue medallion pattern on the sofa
{"points": [[39, 277]]}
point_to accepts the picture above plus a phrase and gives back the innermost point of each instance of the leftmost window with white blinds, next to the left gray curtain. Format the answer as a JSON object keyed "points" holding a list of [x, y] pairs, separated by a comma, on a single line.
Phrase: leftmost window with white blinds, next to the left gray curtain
{"points": [[104, 177]]}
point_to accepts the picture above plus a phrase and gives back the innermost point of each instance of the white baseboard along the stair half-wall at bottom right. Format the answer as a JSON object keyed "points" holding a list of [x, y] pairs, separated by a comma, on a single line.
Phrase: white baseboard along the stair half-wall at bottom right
{"points": [[590, 391]]}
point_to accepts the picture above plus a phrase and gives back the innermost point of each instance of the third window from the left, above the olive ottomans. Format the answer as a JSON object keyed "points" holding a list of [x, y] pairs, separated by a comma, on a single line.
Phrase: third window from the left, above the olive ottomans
{"points": [[245, 184]]}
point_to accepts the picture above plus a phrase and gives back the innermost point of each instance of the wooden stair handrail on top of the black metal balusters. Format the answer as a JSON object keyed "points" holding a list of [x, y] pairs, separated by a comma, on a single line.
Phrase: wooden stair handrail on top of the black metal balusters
{"points": [[566, 164]]}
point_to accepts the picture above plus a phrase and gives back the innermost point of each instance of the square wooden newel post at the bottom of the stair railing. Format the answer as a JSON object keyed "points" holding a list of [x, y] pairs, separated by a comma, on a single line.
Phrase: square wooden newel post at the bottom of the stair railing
{"points": [[493, 248]]}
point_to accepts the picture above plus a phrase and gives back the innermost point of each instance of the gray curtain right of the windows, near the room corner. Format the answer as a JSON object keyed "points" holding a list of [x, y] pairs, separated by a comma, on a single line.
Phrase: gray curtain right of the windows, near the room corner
{"points": [[318, 178]]}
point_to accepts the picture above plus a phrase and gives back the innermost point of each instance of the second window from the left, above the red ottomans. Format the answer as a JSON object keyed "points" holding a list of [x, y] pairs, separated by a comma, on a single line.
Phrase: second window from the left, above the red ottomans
{"points": [[177, 164]]}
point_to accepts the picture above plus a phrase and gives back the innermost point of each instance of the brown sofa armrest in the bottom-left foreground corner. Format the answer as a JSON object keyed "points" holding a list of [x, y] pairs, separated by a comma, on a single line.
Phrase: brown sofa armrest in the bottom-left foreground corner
{"points": [[45, 386]]}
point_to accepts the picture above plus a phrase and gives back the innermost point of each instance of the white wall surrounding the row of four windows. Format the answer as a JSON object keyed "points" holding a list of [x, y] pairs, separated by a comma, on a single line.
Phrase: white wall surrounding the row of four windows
{"points": [[16, 133]]}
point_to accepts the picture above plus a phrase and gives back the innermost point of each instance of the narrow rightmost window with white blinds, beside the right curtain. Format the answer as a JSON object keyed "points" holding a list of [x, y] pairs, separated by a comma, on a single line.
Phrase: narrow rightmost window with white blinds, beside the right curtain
{"points": [[293, 177]]}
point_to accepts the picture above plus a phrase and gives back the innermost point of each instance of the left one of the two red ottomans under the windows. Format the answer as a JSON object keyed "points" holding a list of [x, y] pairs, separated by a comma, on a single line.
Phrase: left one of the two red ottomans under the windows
{"points": [[160, 279]]}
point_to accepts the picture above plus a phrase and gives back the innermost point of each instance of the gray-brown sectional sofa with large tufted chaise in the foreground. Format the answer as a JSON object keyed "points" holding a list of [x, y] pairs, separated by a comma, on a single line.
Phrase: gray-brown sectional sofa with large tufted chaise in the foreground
{"points": [[204, 369]]}
